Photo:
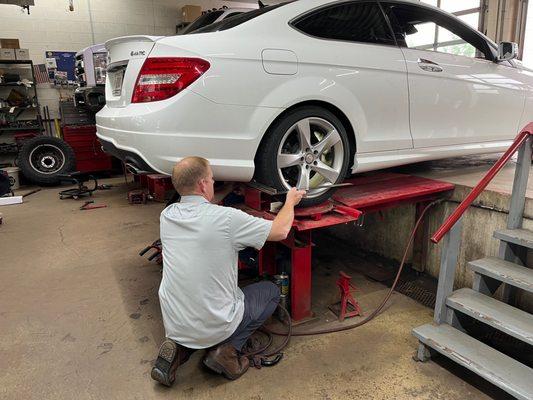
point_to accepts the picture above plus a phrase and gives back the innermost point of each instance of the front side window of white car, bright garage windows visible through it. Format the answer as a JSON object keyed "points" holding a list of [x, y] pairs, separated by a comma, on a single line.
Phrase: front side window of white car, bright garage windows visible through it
{"points": [[421, 28]]}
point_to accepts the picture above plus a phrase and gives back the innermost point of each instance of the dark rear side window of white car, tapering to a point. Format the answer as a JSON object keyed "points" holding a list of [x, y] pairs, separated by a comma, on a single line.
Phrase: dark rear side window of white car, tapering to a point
{"points": [[354, 22]]}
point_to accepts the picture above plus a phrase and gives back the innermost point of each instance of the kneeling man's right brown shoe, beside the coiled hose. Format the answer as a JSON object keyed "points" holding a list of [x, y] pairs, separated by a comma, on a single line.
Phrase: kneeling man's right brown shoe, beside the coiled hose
{"points": [[225, 360]]}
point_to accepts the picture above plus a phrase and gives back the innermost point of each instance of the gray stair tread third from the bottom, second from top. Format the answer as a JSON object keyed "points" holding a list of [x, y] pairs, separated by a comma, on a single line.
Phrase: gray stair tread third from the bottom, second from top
{"points": [[504, 271]]}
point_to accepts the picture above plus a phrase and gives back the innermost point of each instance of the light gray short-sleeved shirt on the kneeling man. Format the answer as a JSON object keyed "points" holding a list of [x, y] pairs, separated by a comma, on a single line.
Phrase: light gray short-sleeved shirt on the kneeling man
{"points": [[200, 300]]}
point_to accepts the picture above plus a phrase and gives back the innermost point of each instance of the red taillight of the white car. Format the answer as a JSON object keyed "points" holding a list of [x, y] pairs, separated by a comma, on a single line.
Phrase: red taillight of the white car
{"points": [[163, 77]]}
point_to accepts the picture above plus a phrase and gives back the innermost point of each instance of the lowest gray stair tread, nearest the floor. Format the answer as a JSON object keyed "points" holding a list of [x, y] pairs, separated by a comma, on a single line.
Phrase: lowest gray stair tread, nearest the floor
{"points": [[503, 371]]}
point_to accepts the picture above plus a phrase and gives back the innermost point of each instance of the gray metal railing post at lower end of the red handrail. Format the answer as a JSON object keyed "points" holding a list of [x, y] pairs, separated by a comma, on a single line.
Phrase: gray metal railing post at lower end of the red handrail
{"points": [[448, 263]]}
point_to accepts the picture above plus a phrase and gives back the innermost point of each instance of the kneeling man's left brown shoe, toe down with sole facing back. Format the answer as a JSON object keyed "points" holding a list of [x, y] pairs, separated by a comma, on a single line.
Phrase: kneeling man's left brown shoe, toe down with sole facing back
{"points": [[171, 356]]}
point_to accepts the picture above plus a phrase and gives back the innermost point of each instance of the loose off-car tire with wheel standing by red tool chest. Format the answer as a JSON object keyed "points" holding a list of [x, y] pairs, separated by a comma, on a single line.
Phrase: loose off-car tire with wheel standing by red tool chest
{"points": [[42, 158]]}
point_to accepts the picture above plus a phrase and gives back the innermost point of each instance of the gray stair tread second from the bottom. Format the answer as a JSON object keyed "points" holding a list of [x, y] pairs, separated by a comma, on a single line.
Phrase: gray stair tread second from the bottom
{"points": [[495, 313]]}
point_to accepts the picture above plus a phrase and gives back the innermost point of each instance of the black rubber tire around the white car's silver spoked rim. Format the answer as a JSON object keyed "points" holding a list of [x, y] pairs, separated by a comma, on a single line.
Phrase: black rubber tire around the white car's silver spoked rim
{"points": [[266, 158]]}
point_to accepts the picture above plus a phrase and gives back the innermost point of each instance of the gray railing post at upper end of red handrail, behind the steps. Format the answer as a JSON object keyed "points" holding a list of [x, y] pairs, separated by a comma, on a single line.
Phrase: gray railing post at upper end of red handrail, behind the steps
{"points": [[507, 251]]}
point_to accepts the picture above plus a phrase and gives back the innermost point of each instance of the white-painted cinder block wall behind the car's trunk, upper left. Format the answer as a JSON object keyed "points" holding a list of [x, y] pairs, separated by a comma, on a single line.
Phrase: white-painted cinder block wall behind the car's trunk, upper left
{"points": [[51, 26]]}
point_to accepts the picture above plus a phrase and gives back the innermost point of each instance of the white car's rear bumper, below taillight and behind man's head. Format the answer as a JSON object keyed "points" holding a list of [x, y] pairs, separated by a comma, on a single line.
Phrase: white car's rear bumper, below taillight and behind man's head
{"points": [[154, 136]]}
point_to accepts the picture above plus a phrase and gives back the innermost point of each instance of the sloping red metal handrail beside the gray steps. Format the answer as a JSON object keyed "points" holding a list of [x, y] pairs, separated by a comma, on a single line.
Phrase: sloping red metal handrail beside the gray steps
{"points": [[476, 191]]}
